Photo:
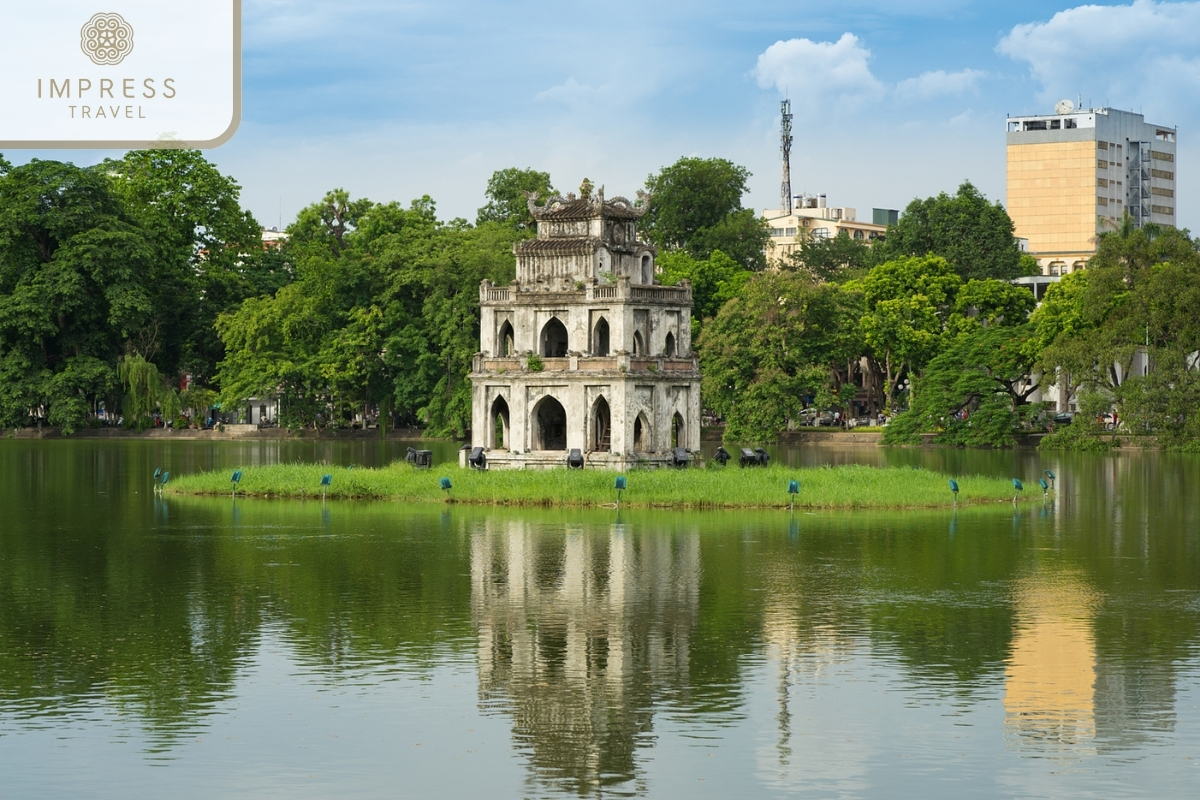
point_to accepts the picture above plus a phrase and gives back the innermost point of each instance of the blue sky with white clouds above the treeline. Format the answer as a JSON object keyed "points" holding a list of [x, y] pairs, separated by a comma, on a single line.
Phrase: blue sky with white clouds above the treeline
{"points": [[892, 99]]}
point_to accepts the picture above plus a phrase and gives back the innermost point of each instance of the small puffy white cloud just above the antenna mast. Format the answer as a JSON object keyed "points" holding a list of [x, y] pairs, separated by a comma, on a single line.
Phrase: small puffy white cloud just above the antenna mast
{"points": [[815, 71]]}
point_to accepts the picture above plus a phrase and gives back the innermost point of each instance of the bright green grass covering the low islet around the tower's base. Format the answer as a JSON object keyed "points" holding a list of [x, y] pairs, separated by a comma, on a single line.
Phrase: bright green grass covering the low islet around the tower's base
{"points": [[827, 488]]}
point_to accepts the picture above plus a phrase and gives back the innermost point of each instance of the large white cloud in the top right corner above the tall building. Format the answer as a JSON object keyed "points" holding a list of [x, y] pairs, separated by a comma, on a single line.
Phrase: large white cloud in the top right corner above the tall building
{"points": [[1144, 55]]}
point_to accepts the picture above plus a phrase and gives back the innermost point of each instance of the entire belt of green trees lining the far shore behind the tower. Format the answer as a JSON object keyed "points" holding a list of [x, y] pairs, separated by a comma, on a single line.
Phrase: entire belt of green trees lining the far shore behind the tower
{"points": [[141, 286]]}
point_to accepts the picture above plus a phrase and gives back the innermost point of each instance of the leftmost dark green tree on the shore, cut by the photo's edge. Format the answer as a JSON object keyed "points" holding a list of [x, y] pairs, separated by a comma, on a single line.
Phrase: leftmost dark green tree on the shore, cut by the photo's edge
{"points": [[75, 288]]}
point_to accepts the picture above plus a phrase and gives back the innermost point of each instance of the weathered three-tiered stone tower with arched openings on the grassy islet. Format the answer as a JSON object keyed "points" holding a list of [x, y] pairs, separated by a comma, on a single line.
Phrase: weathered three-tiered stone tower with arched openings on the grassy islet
{"points": [[585, 350]]}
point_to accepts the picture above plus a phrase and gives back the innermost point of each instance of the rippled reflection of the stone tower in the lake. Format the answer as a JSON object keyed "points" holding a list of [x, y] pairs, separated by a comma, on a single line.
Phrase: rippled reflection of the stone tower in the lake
{"points": [[581, 630]]}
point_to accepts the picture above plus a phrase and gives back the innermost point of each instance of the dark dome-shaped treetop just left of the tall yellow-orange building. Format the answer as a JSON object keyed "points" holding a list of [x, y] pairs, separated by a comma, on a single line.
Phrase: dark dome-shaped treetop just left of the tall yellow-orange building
{"points": [[974, 236]]}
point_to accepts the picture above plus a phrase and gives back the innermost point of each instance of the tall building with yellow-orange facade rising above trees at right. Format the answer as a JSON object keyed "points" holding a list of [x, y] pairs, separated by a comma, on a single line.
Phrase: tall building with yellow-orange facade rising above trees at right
{"points": [[1077, 173]]}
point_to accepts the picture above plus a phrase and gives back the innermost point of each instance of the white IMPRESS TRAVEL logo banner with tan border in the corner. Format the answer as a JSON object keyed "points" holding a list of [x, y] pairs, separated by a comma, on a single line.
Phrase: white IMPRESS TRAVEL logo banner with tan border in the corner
{"points": [[121, 74]]}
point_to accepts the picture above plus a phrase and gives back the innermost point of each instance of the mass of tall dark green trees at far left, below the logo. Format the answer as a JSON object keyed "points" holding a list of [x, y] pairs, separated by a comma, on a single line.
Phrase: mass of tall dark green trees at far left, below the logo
{"points": [[136, 256]]}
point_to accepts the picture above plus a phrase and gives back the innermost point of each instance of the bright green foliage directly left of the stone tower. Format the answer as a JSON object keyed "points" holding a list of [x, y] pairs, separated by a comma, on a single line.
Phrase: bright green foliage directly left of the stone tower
{"points": [[383, 315]]}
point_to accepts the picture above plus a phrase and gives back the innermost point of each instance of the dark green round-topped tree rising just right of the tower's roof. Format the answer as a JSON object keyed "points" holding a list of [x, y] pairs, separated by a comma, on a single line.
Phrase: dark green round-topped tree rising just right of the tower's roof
{"points": [[697, 207]]}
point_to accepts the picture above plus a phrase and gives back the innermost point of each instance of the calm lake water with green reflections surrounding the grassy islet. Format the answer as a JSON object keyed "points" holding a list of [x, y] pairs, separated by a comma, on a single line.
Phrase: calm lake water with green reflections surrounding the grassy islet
{"points": [[208, 648]]}
